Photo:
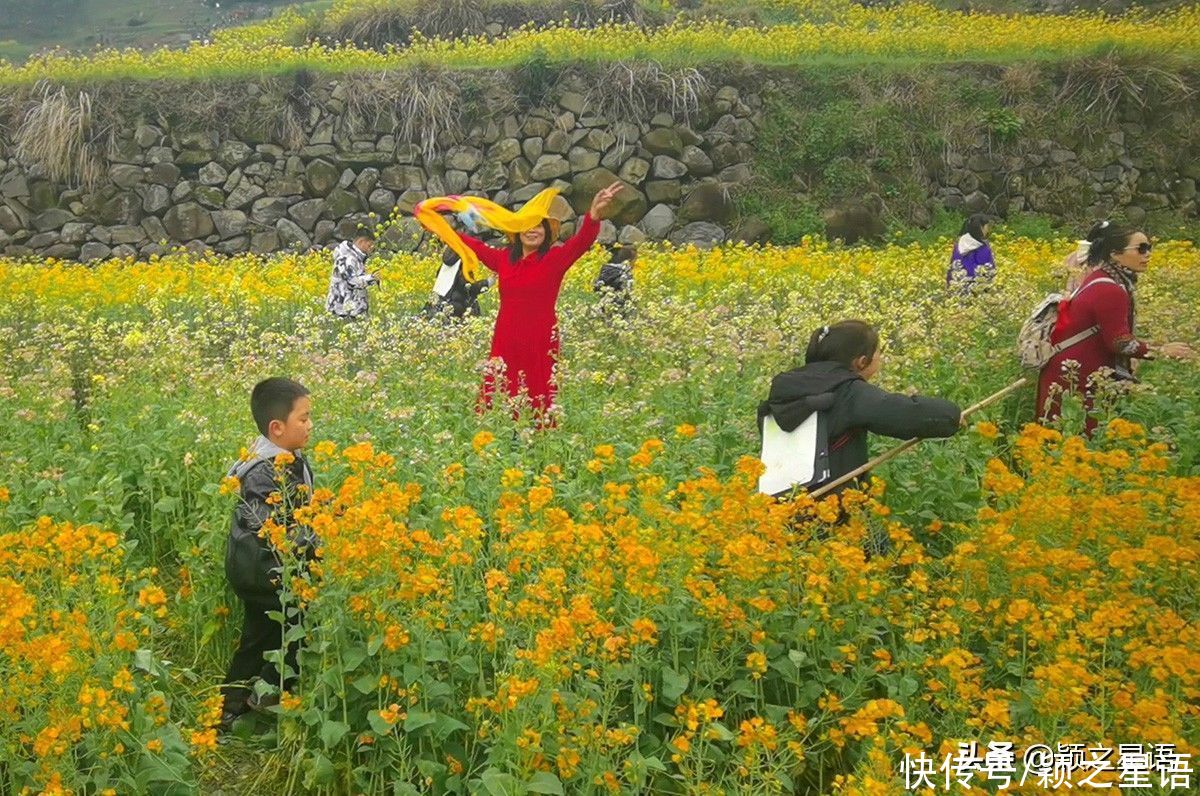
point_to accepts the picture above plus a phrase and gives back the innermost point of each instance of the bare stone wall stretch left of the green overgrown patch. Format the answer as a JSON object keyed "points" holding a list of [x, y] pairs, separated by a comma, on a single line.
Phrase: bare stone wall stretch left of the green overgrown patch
{"points": [[213, 191]]}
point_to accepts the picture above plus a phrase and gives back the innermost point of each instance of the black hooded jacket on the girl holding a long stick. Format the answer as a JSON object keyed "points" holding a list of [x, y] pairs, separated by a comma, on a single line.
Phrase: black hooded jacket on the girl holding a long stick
{"points": [[854, 408]]}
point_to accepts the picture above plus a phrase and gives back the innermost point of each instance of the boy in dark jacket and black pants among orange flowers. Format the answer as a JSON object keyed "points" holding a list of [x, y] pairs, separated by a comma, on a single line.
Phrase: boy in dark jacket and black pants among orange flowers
{"points": [[274, 481]]}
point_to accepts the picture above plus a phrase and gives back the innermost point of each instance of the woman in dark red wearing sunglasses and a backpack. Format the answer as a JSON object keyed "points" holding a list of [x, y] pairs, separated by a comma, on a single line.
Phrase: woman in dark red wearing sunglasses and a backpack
{"points": [[1105, 306]]}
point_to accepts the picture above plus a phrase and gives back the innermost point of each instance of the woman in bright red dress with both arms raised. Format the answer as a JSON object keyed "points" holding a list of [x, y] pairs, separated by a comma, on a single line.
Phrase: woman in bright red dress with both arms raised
{"points": [[531, 274]]}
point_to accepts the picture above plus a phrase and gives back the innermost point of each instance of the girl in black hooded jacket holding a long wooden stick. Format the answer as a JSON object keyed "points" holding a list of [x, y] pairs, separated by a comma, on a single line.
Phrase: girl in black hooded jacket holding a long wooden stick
{"points": [[841, 362]]}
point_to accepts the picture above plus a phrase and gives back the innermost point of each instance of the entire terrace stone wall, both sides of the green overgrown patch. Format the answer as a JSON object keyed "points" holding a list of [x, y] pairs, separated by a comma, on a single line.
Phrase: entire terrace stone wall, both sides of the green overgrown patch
{"points": [[232, 193]]}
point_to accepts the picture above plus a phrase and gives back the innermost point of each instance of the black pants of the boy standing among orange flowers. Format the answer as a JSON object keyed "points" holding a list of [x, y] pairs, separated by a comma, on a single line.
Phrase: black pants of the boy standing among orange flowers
{"points": [[260, 635]]}
